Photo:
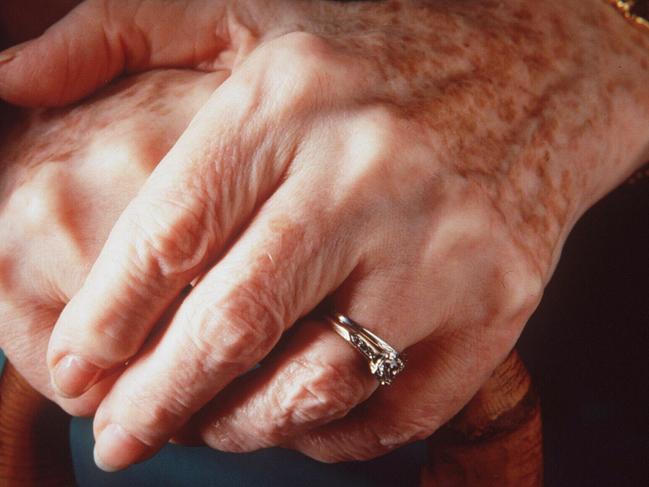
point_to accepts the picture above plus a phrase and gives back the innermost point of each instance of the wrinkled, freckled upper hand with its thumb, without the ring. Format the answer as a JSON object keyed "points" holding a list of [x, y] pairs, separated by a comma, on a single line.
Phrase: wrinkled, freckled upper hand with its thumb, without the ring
{"points": [[420, 163]]}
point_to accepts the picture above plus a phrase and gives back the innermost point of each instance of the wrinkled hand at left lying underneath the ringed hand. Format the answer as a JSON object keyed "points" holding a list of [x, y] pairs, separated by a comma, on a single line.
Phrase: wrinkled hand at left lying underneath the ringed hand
{"points": [[65, 176]]}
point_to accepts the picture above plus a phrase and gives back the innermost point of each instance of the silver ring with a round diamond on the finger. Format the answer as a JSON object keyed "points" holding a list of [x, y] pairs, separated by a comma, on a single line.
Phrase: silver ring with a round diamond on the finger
{"points": [[383, 360]]}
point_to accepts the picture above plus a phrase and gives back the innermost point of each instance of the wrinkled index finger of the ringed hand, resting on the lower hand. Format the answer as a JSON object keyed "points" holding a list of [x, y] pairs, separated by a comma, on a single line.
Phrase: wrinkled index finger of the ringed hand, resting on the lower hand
{"points": [[198, 196]]}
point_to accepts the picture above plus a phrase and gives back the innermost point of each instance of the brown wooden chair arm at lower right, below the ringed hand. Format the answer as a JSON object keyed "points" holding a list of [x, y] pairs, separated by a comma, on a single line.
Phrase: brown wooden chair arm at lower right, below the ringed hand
{"points": [[496, 440]]}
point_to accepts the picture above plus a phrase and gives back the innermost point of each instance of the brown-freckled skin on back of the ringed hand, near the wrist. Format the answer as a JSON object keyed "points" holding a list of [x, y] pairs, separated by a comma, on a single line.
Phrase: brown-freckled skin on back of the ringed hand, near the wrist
{"points": [[522, 75]]}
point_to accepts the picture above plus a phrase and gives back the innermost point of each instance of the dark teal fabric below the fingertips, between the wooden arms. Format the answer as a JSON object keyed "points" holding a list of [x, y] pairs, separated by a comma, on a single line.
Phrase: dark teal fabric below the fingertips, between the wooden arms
{"points": [[177, 466]]}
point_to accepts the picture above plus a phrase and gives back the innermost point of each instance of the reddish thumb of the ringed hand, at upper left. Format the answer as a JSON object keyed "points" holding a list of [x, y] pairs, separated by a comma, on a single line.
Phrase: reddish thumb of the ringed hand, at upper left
{"points": [[99, 40]]}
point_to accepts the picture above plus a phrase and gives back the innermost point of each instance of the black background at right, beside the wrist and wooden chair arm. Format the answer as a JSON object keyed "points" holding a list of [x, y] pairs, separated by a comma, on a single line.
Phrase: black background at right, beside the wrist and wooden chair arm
{"points": [[587, 348]]}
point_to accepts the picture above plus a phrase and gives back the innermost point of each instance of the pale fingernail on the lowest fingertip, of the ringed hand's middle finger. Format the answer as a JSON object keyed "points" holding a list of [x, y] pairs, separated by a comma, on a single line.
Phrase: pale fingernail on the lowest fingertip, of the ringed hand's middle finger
{"points": [[116, 449]]}
